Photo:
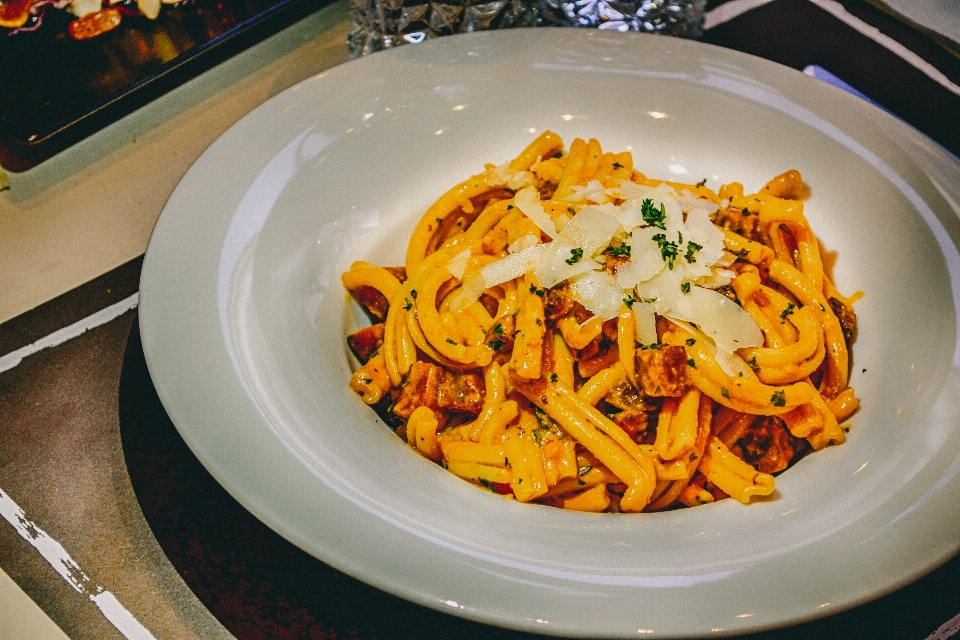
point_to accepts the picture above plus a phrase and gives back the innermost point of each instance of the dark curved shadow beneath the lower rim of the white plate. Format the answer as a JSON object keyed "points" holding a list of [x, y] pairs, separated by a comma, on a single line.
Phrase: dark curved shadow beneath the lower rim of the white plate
{"points": [[260, 586]]}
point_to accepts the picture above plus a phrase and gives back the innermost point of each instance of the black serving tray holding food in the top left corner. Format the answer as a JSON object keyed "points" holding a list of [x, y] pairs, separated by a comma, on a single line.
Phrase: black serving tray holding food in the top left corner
{"points": [[56, 91]]}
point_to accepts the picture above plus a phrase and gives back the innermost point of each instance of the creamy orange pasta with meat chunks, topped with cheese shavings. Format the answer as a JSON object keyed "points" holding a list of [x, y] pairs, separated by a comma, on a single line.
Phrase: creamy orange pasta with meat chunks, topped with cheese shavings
{"points": [[567, 331]]}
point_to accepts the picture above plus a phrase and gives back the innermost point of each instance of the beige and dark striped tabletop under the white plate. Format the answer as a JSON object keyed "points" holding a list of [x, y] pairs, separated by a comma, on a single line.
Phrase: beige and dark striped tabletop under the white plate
{"points": [[114, 529]]}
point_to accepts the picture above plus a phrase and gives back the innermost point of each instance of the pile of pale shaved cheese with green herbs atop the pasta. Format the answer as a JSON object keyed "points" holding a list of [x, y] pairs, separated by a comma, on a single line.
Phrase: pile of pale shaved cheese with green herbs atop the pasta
{"points": [[673, 255]]}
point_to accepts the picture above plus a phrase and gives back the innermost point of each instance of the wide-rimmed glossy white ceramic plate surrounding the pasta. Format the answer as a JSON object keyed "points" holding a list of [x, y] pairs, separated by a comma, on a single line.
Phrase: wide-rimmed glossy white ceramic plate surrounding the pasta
{"points": [[243, 321]]}
